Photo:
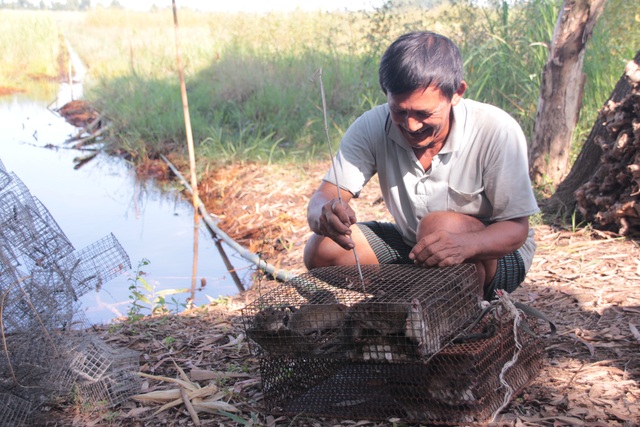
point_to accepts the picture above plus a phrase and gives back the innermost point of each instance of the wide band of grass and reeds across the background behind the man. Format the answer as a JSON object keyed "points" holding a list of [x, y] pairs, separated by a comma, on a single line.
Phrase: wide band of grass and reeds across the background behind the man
{"points": [[253, 94]]}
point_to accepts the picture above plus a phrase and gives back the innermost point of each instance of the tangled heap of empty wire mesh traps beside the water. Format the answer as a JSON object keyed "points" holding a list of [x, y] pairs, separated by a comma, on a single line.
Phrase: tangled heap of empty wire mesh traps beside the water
{"points": [[42, 277]]}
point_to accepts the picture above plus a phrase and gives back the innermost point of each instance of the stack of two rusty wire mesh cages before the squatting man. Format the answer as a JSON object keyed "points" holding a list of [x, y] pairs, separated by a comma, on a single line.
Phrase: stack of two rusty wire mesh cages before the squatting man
{"points": [[411, 343]]}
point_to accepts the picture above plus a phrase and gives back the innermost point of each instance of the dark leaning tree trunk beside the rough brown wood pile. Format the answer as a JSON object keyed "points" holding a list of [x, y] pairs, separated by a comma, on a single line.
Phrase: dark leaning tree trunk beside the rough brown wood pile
{"points": [[563, 202]]}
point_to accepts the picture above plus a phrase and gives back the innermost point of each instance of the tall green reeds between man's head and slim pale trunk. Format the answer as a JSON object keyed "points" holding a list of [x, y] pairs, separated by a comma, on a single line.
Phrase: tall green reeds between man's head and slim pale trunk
{"points": [[505, 54]]}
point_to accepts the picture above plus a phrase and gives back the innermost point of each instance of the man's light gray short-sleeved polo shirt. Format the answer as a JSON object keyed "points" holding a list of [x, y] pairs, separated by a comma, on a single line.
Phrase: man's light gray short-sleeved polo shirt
{"points": [[481, 171]]}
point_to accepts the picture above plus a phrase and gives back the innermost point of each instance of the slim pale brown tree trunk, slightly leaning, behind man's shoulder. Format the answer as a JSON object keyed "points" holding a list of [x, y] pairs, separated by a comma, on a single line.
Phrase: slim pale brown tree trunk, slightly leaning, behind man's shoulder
{"points": [[561, 91]]}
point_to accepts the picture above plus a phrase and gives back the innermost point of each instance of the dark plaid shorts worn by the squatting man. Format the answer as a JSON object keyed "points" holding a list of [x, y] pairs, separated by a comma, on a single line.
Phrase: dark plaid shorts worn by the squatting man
{"points": [[387, 244]]}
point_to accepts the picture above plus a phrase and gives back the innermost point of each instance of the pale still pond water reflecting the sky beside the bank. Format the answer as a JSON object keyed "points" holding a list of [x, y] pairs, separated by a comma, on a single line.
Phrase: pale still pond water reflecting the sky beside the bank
{"points": [[104, 197]]}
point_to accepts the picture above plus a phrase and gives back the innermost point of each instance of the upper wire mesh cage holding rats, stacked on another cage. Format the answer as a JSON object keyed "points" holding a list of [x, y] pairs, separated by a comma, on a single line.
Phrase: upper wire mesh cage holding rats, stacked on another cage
{"points": [[398, 312]]}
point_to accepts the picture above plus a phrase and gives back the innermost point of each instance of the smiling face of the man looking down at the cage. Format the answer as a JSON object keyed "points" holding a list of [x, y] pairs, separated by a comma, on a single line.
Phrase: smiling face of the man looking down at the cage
{"points": [[423, 116]]}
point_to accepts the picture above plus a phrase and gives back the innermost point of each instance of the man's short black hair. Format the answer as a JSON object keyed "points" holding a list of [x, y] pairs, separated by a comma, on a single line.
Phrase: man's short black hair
{"points": [[418, 60]]}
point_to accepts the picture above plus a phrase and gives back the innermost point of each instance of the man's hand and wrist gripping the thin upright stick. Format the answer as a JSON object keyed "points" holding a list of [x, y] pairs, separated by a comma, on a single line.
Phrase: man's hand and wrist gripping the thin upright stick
{"points": [[328, 217]]}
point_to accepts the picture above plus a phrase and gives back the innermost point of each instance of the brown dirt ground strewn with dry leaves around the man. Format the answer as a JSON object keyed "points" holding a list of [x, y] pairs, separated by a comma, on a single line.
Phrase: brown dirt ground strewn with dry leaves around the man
{"points": [[587, 282]]}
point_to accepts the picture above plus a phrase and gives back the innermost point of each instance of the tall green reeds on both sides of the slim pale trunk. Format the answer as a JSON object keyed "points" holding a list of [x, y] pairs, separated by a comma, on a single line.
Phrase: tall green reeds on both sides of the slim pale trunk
{"points": [[505, 46]]}
